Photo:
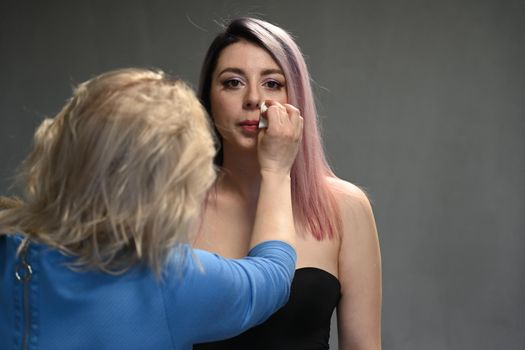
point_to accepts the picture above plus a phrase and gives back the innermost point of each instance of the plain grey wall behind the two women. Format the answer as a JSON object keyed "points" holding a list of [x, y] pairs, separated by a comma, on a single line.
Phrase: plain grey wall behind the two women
{"points": [[422, 103]]}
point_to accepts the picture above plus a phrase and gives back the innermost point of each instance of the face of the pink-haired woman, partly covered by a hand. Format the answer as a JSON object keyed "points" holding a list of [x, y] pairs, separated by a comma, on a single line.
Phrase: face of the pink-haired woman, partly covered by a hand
{"points": [[245, 76]]}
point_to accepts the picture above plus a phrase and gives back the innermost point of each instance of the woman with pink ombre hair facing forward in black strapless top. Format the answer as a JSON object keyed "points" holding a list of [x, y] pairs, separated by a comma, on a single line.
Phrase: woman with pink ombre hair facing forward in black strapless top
{"points": [[252, 63]]}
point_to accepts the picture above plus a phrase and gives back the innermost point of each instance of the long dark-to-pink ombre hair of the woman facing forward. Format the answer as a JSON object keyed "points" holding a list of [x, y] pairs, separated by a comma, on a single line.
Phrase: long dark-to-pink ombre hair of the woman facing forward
{"points": [[314, 204]]}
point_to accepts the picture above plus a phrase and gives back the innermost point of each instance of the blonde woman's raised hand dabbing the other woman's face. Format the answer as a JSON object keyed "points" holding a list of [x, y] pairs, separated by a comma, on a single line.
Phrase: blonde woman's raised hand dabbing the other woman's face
{"points": [[278, 143]]}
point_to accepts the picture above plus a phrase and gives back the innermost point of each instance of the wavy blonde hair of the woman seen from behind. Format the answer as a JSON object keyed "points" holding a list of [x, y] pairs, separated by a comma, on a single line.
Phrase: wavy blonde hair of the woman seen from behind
{"points": [[119, 176]]}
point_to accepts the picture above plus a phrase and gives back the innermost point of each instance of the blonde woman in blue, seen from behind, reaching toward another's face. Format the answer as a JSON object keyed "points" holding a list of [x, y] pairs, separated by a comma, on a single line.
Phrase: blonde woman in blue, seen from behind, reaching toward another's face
{"points": [[94, 257]]}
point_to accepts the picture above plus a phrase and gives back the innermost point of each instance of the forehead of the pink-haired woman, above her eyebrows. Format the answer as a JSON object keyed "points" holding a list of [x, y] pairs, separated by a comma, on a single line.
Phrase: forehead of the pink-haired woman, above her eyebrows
{"points": [[246, 55]]}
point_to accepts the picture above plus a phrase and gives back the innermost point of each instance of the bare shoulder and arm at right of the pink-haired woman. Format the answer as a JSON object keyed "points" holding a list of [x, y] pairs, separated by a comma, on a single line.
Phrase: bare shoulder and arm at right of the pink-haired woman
{"points": [[359, 309]]}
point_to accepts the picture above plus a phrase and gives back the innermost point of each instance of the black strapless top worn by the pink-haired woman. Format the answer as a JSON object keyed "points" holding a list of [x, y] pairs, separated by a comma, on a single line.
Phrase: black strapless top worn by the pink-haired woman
{"points": [[302, 324]]}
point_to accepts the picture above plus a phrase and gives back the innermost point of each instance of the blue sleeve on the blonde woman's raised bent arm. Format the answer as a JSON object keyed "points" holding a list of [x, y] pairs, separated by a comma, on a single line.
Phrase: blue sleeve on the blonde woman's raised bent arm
{"points": [[217, 298]]}
